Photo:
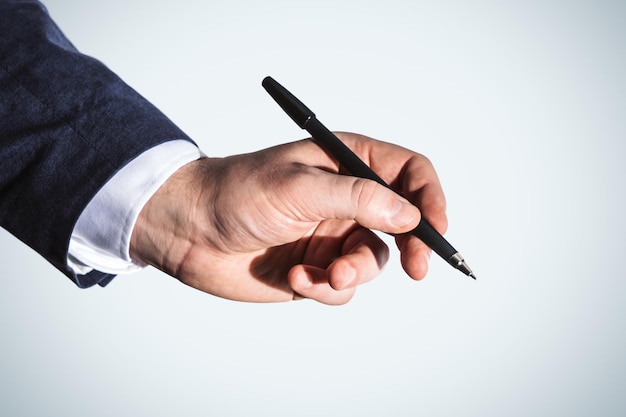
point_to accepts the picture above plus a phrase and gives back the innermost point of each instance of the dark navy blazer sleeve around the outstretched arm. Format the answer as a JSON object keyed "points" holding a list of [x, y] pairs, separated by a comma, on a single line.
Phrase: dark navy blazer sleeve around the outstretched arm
{"points": [[67, 124]]}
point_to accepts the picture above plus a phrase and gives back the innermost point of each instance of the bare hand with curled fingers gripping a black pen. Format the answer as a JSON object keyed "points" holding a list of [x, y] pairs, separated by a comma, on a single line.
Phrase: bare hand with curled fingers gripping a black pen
{"points": [[280, 224]]}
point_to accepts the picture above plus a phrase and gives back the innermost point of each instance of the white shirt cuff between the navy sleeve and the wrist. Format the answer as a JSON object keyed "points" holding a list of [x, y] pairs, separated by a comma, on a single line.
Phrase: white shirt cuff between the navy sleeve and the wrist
{"points": [[101, 237]]}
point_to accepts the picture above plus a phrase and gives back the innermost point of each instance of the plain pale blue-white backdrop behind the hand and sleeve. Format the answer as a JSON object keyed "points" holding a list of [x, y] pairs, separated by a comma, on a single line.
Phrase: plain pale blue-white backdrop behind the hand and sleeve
{"points": [[521, 107]]}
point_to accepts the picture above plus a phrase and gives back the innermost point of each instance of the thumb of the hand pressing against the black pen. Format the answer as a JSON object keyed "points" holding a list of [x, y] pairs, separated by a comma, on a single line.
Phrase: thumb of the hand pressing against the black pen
{"points": [[370, 204]]}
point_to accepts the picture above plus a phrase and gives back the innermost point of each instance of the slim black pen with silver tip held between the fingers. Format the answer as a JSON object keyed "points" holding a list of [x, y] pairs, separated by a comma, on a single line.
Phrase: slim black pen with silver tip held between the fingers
{"points": [[306, 119]]}
